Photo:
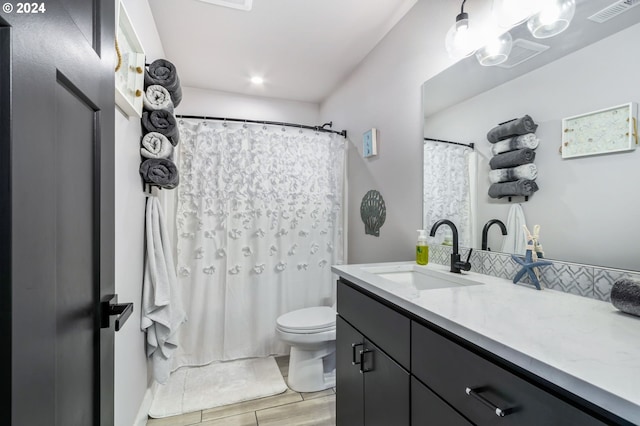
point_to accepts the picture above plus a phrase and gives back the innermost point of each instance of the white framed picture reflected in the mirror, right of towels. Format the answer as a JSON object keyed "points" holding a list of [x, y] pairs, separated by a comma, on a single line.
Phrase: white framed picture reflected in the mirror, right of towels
{"points": [[604, 131]]}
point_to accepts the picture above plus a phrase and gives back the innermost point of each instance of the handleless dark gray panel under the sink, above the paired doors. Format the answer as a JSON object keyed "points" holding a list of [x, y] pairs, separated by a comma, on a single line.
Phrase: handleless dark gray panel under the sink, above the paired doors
{"points": [[388, 329]]}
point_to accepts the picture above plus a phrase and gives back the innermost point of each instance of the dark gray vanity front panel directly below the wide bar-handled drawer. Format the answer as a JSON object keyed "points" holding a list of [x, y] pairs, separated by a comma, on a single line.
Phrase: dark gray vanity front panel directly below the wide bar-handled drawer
{"points": [[428, 409]]}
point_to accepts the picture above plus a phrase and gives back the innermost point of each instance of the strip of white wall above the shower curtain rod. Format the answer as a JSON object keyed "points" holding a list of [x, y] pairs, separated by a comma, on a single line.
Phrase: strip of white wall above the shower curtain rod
{"points": [[222, 104]]}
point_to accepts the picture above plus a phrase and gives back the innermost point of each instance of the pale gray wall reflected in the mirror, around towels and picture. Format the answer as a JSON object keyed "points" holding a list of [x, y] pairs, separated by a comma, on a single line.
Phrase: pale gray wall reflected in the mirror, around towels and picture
{"points": [[587, 206]]}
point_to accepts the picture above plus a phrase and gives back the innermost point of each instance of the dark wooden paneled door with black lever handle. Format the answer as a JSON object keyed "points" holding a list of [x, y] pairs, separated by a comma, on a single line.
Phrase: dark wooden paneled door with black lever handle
{"points": [[56, 177]]}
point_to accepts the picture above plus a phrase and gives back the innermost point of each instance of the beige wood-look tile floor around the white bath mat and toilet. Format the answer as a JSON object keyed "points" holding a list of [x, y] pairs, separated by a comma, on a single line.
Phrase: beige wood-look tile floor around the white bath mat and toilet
{"points": [[287, 409]]}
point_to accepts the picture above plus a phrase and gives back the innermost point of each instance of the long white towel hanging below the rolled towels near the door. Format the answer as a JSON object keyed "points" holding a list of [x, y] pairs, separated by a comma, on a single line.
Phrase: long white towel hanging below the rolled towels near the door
{"points": [[162, 309]]}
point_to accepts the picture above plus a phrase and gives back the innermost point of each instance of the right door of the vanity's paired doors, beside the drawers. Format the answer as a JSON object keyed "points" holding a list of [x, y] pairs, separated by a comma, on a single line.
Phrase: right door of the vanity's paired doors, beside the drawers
{"points": [[386, 389]]}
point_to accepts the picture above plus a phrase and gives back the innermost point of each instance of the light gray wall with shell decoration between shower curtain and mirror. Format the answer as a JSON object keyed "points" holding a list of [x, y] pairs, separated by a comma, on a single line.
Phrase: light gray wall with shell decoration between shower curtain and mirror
{"points": [[385, 92]]}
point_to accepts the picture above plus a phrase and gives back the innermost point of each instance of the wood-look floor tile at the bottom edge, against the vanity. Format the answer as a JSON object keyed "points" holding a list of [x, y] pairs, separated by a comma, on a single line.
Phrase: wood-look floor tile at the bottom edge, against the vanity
{"points": [[313, 412]]}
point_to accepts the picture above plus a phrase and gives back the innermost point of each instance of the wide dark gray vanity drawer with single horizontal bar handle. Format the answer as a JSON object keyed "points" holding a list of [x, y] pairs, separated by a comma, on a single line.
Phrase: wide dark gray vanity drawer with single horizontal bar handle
{"points": [[449, 370]]}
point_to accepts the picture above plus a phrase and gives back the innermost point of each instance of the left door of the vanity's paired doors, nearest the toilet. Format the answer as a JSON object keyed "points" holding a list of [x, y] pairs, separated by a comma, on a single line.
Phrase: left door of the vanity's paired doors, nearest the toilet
{"points": [[349, 384]]}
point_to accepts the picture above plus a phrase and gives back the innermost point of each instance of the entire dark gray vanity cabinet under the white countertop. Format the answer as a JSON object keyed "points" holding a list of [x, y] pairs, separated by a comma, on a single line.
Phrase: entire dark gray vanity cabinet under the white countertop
{"points": [[394, 368]]}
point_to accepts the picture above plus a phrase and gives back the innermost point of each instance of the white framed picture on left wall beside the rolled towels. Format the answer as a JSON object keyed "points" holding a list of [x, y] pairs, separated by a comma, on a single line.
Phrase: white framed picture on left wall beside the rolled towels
{"points": [[130, 63]]}
